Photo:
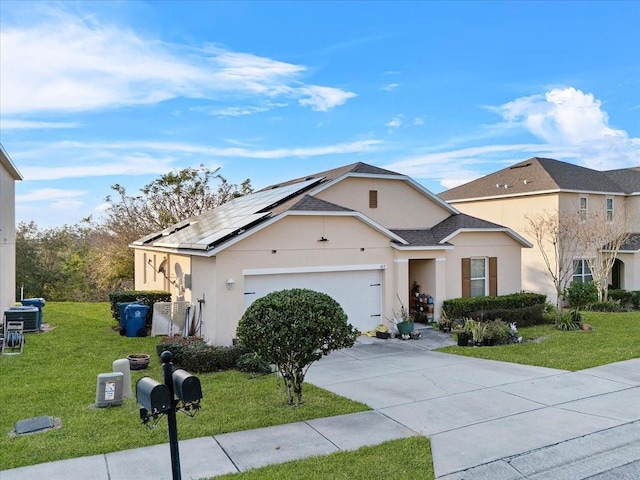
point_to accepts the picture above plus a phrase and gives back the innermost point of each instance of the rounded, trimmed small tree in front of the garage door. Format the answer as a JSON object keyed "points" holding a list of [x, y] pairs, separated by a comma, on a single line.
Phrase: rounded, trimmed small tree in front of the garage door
{"points": [[292, 329]]}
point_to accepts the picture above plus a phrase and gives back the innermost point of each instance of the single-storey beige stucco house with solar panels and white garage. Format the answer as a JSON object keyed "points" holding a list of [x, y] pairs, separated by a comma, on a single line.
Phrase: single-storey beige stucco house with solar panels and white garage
{"points": [[359, 233]]}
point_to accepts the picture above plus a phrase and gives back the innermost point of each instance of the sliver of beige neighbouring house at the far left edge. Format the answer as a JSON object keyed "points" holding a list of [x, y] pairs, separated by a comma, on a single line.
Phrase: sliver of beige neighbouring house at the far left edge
{"points": [[9, 174]]}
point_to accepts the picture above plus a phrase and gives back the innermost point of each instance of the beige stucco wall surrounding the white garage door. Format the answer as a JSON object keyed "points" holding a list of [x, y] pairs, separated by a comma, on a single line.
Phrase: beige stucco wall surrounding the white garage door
{"points": [[295, 242]]}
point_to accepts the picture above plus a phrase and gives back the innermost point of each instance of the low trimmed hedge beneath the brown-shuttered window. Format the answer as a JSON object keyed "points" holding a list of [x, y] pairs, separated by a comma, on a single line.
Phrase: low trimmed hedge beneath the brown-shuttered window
{"points": [[525, 309]]}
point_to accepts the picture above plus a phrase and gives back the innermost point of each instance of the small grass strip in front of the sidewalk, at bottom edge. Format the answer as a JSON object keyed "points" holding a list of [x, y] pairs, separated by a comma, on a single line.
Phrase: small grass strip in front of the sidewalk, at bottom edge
{"points": [[387, 460]]}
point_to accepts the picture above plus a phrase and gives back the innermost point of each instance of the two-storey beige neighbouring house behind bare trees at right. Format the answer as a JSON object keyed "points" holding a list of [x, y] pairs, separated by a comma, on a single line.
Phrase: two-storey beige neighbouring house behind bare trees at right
{"points": [[543, 184]]}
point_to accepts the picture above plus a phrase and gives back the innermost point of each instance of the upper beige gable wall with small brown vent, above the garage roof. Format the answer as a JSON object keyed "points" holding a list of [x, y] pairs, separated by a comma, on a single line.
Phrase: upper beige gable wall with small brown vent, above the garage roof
{"points": [[417, 210]]}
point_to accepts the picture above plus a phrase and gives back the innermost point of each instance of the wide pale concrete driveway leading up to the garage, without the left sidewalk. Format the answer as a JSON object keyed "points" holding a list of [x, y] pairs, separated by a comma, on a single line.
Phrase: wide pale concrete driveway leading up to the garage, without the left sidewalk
{"points": [[496, 420]]}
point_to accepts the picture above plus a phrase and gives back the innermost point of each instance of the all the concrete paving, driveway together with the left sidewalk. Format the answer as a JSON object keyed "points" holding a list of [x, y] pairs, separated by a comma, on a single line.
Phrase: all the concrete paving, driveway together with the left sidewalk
{"points": [[486, 420]]}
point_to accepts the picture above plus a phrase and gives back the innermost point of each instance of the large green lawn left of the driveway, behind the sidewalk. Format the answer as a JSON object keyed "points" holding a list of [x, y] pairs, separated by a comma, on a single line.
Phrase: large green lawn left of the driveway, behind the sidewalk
{"points": [[57, 373]]}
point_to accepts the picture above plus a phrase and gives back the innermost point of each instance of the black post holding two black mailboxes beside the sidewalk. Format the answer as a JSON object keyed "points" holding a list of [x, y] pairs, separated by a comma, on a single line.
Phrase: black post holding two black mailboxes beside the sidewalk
{"points": [[157, 399]]}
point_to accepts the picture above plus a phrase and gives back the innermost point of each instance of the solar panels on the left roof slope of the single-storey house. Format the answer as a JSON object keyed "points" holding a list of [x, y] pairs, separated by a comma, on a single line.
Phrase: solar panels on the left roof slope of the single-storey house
{"points": [[210, 227]]}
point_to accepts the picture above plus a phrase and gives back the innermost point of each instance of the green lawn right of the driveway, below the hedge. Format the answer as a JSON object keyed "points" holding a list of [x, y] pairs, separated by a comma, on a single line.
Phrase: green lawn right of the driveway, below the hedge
{"points": [[614, 338]]}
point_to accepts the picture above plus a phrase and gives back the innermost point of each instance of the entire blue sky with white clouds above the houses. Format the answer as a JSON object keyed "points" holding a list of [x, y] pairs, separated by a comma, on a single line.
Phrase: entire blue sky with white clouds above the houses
{"points": [[98, 93]]}
